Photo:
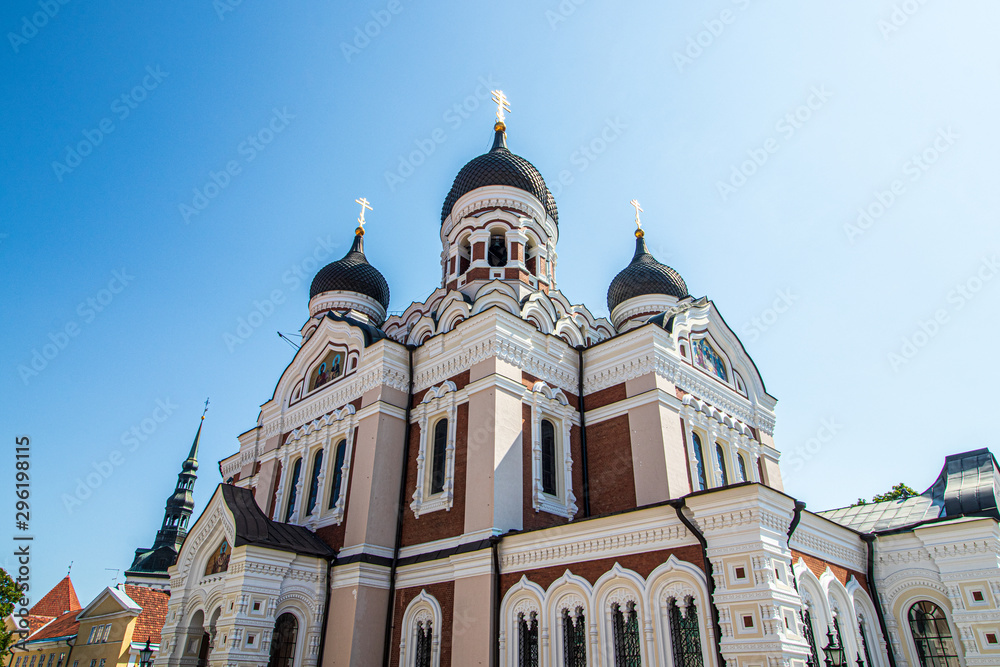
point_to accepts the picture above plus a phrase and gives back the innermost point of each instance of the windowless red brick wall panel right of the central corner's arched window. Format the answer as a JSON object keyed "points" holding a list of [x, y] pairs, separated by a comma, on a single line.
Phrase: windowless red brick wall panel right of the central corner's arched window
{"points": [[609, 457]]}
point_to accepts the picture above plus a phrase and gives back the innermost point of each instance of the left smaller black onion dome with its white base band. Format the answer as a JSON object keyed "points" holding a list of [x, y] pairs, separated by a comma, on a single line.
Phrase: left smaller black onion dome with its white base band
{"points": [[349, 275]]}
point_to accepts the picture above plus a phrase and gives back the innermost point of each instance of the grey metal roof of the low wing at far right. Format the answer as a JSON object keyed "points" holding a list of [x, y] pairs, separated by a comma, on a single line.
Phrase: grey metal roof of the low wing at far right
{"points": [[967, 486]]}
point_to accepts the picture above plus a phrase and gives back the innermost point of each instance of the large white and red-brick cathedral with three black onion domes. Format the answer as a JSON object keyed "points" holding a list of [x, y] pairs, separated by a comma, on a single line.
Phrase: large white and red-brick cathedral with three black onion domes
{"points": [[495, 476]]}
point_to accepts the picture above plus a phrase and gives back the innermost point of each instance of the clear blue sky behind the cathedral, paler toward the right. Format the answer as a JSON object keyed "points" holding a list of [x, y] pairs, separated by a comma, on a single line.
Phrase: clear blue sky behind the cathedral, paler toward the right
{"points": [[885, 86]]}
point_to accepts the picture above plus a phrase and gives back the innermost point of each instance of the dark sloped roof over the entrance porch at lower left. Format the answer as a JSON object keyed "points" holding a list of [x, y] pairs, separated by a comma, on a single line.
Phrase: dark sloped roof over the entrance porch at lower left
{"points": [[253, 528]]}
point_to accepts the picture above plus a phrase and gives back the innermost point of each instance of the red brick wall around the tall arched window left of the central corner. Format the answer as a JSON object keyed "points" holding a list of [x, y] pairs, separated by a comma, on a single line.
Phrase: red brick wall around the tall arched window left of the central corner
{"points": [[440, 524]]}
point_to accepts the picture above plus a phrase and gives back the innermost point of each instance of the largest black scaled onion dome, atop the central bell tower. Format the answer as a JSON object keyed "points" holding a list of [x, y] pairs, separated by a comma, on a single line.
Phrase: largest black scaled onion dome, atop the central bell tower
{"points": [[500, 167]]}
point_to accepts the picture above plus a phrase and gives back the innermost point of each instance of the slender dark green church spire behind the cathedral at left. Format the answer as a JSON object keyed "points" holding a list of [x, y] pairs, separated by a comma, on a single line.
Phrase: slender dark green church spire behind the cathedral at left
{"points": [[149, 568]]}
